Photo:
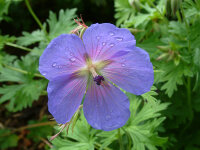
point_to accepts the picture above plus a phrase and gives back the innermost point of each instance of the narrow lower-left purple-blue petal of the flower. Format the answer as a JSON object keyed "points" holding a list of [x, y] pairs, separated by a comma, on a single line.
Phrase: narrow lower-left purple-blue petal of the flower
{"points": [[65, 94]]}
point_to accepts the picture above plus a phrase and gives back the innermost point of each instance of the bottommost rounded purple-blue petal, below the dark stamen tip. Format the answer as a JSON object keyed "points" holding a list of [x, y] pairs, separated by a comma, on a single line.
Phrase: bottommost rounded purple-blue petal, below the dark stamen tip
{"points": [[106, 107]]}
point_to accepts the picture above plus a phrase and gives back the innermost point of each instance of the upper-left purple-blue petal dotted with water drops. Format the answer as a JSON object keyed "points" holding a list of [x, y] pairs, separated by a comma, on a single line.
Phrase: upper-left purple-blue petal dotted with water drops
{"points": [[63, 56]]}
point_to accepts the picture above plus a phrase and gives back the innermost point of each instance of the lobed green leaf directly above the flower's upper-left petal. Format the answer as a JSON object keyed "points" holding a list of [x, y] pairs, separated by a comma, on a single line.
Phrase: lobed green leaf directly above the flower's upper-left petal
{"points": [[63, 24]]}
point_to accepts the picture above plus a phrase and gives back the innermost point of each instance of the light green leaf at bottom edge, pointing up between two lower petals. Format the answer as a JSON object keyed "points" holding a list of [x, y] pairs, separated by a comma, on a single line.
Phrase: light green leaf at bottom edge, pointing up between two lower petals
{"points": [[82, 137]]}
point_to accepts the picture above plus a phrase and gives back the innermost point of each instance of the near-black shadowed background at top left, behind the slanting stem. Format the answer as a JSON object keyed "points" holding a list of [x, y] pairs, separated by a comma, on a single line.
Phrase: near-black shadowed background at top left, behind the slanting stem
{"points": [[91, 11]]}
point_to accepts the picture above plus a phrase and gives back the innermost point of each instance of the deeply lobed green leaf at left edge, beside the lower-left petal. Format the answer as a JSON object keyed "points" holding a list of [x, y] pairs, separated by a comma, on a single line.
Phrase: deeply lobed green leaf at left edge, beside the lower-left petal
{"points": [[24, 89]]}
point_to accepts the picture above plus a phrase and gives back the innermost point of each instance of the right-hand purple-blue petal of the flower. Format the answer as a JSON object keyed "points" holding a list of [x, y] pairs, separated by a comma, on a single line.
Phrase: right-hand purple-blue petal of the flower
{"points": [[132, 72]]}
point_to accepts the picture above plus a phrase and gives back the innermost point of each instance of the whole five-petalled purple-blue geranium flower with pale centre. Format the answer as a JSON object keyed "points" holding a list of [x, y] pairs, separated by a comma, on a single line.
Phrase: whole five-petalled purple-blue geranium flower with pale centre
{"points": [[105, 55]]}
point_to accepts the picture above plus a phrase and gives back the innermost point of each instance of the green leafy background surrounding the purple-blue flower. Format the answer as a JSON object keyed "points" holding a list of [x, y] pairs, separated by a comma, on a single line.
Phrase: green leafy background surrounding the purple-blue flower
{"points": [[165, 118]]}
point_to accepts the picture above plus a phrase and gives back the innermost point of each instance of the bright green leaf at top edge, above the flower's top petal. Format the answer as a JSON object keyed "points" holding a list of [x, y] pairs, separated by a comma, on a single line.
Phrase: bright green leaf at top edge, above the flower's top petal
{"points": [[137, 12]]}
